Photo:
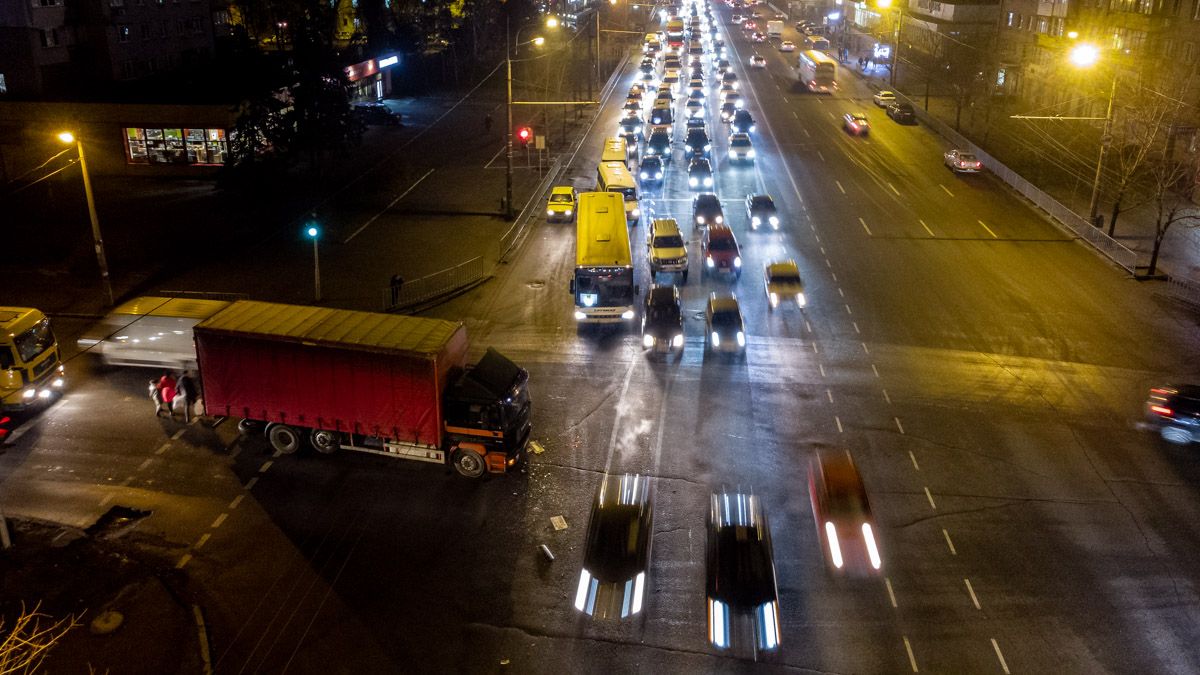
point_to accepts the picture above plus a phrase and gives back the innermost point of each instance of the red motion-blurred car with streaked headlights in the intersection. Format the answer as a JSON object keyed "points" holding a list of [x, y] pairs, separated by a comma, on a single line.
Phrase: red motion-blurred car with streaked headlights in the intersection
{"points": [[843, 515]]}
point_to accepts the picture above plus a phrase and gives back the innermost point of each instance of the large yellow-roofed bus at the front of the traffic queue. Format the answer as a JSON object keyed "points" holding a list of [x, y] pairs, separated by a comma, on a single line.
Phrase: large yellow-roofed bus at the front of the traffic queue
{"points": [[603, 285]]}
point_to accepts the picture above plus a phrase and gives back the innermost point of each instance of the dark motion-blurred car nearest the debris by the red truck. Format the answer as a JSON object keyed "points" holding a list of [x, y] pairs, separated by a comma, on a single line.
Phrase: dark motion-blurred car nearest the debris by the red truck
{"points": [[617, 549]]}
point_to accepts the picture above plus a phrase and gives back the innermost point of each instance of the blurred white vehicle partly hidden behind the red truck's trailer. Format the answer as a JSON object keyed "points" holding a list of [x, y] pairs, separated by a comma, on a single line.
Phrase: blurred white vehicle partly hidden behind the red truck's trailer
{"points": [[152, 332]]}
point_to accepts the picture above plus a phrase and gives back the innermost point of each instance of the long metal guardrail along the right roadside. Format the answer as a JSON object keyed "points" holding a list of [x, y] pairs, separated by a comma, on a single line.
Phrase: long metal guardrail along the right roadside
{"points": [[1060, 214]]}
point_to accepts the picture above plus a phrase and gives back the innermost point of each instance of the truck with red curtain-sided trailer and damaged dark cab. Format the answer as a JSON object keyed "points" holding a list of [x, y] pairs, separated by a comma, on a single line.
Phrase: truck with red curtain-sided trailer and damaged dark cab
{"points": [[388, 385]]}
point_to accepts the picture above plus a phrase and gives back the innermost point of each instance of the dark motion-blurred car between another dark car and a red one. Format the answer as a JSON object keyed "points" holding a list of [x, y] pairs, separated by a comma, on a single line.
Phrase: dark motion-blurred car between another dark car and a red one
{"points": [[743, 599]]}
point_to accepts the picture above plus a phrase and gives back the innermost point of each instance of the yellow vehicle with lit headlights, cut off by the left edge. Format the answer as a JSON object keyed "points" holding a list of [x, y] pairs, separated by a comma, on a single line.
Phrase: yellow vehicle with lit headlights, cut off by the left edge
{"points": [[31, 368]]}
